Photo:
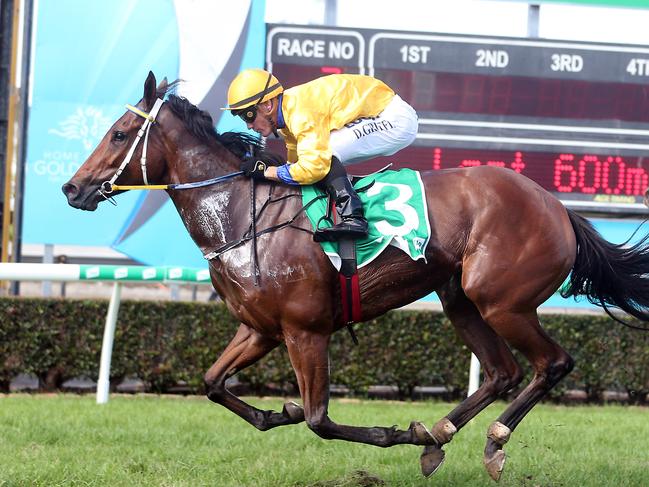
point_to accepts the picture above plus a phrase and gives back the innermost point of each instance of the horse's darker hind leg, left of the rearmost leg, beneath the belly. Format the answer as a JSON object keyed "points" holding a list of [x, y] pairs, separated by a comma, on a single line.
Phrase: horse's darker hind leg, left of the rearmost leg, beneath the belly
{"points": [[501, 371]]}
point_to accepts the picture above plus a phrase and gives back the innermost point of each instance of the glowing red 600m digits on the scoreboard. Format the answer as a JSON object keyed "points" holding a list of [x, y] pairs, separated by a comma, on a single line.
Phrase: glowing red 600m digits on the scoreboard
{"points": [[590, 175]]}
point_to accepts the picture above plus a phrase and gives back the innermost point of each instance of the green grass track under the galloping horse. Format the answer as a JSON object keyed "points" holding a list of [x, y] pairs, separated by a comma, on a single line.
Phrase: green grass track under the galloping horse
{"points": [[64, 440]]}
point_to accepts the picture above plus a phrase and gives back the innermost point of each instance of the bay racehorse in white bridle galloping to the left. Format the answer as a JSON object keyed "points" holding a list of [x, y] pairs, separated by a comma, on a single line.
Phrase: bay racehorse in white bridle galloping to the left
{"points": [[500, 246]]}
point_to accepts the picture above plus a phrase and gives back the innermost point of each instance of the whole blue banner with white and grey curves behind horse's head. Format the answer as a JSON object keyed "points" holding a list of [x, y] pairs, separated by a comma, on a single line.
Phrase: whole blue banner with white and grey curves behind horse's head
{"points": [[90, 59]]}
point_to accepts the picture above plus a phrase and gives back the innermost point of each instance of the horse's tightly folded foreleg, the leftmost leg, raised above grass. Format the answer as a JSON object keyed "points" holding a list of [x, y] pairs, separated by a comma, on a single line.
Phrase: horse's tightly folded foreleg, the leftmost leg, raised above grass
{"points": [[246, 348]]}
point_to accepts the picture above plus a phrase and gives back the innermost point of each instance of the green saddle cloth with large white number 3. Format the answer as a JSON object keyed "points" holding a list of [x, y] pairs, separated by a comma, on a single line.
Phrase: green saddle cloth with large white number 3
{"points": [[395, 208]]}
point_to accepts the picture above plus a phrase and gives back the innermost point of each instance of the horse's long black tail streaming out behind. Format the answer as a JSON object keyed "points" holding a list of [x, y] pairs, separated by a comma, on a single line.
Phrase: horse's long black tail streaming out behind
{"points": [[609, 274]]}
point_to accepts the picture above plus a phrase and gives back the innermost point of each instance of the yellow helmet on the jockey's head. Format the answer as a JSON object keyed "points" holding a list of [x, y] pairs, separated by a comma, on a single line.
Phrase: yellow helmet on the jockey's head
{"points": [[252, 87]]}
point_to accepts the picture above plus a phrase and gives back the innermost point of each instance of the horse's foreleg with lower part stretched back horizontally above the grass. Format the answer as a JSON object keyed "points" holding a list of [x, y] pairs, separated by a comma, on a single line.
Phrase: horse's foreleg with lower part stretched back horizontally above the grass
{"points": [[308, 354]]}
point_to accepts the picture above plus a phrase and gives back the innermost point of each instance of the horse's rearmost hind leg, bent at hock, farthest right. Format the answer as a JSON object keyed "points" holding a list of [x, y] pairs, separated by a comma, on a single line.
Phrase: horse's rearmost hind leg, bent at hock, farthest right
{"points": [[550, 363]]}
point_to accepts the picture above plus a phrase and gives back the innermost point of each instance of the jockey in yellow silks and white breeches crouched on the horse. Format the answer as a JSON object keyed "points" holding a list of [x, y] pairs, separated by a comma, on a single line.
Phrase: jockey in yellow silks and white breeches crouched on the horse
{"points": [[330, 121]]}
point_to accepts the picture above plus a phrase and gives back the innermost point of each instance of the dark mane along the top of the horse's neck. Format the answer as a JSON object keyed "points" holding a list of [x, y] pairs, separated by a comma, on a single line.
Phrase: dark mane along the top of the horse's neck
{"points": [[200, 124]]}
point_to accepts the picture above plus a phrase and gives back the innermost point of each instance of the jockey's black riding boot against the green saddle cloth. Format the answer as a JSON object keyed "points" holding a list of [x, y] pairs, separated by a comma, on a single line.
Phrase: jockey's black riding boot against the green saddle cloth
{"points": [[349, 207]]}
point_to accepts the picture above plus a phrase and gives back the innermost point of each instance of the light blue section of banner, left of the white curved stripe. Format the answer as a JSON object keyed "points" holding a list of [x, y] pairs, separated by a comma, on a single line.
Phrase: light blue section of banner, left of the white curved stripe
{"points": [[90, 58]]}
